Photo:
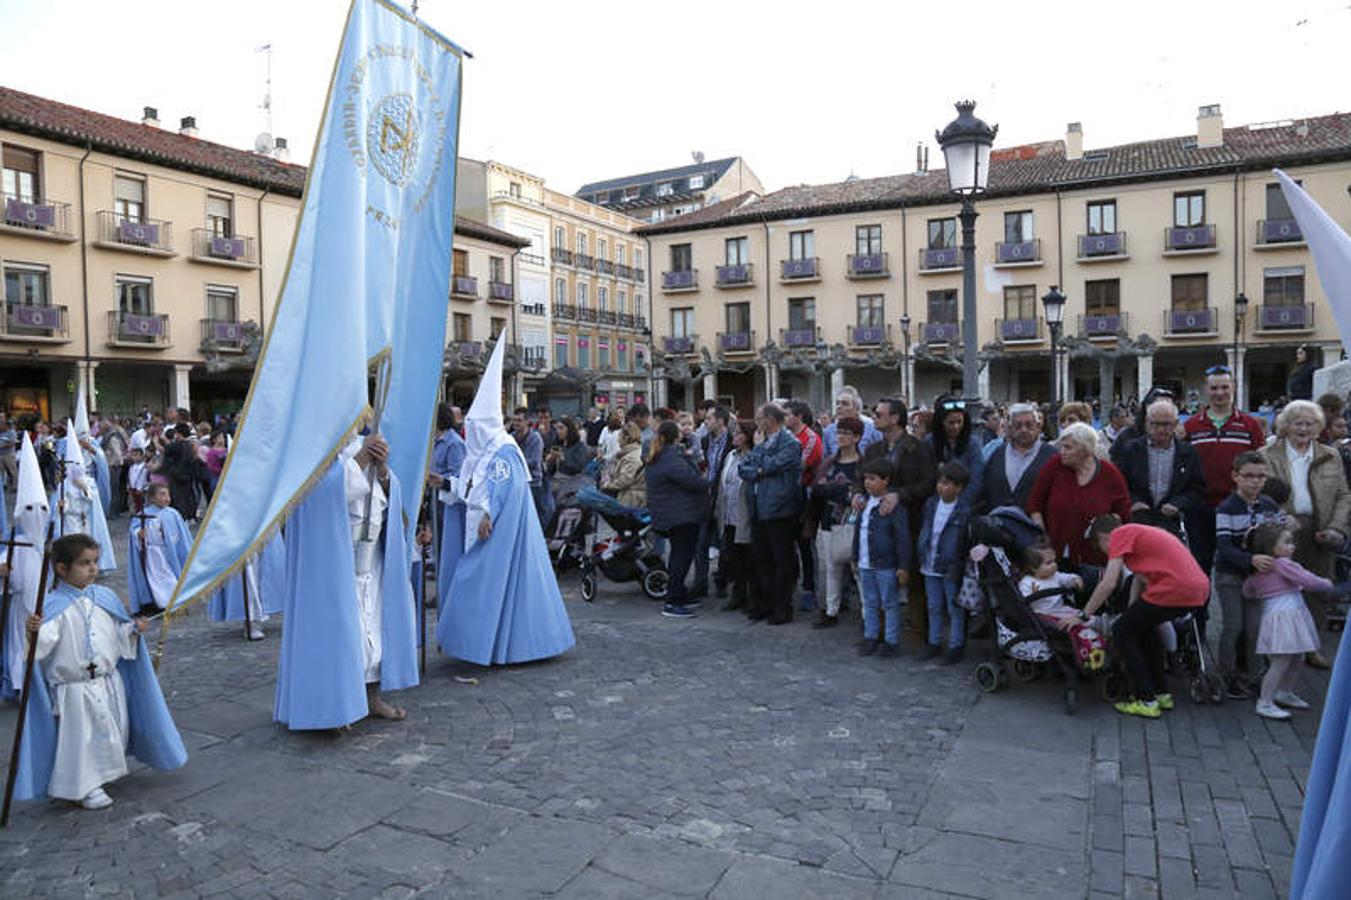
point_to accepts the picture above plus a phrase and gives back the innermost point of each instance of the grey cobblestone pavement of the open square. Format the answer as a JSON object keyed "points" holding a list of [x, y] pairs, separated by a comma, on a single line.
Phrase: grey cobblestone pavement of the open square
{"points": [[680, 759]]}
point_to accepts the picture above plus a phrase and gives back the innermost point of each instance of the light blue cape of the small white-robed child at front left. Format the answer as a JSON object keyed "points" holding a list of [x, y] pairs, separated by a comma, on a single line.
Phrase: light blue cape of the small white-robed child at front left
{"points": [[155, 739]]}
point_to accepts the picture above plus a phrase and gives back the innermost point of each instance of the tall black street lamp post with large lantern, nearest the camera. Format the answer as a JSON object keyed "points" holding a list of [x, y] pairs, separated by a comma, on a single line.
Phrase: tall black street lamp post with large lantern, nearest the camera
{"points": [[967, 145]]}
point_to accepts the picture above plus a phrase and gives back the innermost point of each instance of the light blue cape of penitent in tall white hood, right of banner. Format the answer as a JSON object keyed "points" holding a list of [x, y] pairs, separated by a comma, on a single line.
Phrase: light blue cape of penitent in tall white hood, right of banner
{"points": [[503, 605]]}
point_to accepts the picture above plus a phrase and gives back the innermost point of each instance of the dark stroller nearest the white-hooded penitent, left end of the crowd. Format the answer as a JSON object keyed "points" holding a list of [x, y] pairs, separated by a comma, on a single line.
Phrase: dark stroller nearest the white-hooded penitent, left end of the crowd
{"points": [[628, 555]]}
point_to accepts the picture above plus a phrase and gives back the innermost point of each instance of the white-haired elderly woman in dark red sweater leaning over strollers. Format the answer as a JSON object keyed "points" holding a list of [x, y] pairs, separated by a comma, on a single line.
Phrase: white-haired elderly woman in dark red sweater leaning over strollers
{"points": [[1072, 490]]}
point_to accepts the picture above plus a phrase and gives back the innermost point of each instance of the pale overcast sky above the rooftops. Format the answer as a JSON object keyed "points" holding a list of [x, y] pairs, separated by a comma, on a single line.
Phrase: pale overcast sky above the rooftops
{"points": [[807, 93]]}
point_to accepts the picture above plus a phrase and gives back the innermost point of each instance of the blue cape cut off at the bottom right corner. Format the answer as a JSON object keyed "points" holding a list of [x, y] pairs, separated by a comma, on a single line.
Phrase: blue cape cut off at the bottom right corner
{"points": [[1323, 856]]}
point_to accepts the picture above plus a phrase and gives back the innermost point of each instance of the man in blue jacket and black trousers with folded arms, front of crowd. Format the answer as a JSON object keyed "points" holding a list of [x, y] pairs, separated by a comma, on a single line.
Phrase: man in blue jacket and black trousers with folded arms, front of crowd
{"points": [[772, 480]]}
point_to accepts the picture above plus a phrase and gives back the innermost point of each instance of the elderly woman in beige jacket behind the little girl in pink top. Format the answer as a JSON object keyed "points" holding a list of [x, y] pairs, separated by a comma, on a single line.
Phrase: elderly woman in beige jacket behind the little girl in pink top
{"points": [[1319, 498]]}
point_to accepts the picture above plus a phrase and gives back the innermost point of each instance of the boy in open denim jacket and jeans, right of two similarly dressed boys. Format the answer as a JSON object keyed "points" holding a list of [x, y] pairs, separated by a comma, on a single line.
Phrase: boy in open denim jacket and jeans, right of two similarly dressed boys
{"points": [[942, 548]]}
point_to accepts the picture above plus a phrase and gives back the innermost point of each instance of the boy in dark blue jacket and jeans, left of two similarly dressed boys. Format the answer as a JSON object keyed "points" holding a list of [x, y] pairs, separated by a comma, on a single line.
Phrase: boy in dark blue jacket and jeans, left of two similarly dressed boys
{"points": [[883, 556]]}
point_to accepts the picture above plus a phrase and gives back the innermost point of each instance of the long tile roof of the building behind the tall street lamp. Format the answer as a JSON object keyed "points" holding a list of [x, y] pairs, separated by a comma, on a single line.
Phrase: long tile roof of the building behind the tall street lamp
{"points": [[1042, 167]]}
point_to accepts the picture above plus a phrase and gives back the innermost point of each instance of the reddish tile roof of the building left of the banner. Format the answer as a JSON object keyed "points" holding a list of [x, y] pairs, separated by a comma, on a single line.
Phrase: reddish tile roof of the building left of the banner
{"points": [[60, 122]]}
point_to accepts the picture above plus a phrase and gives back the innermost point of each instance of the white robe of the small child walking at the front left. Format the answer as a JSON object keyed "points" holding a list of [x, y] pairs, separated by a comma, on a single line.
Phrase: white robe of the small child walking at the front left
{"points": [[93, 713]]}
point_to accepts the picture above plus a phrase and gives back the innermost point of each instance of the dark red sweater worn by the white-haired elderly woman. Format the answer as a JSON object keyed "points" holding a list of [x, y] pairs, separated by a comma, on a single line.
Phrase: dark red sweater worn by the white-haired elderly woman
{"points": [[1069, 509]]}
